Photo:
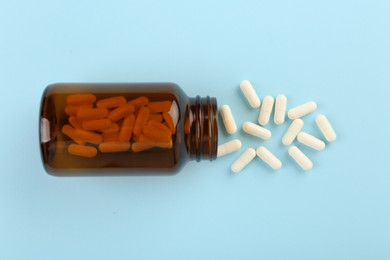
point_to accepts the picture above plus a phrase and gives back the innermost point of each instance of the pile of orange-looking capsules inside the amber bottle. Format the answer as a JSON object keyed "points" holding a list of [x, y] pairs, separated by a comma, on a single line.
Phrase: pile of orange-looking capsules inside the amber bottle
{"points": [[115, 124]]}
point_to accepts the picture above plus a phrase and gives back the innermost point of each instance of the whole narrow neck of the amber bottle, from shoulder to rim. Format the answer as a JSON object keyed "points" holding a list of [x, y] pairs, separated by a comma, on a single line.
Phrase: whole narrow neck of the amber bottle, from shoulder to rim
{"points": [[201, 128]]}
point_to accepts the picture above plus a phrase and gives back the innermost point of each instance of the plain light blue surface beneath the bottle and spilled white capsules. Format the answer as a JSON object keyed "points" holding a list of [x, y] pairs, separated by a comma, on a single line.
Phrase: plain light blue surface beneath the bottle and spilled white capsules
{"points": [[334, 52]]}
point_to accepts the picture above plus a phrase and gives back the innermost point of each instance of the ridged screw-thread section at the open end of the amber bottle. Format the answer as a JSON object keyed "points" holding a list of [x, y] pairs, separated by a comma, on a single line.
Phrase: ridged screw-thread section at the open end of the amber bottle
{"points": [[206, 128]]}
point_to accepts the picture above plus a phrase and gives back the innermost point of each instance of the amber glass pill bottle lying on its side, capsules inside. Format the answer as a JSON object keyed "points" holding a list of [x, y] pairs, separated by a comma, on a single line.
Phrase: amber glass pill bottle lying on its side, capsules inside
{"points": [[124, 129]]}
